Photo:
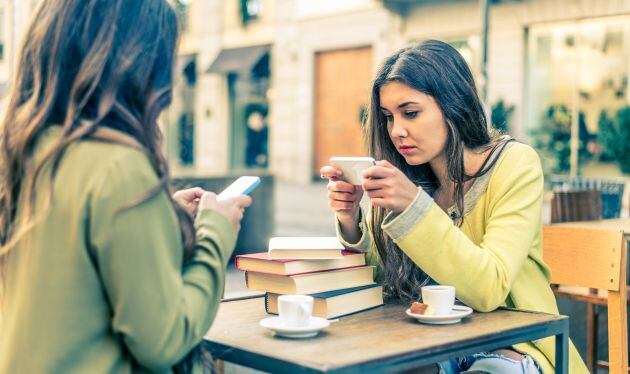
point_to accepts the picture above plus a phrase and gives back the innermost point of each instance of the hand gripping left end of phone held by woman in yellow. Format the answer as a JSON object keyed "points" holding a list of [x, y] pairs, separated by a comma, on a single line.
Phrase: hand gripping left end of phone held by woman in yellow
{"points": [[343, 197]]}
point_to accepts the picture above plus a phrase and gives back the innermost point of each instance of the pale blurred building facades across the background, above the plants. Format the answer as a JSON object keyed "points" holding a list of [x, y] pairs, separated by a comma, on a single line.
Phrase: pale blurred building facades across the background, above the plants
{"points": [[279, 86]]}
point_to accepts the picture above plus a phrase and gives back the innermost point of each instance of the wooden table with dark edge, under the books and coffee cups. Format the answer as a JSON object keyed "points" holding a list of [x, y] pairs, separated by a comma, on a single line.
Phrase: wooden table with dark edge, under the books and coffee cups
{"points": [[384, 339]]}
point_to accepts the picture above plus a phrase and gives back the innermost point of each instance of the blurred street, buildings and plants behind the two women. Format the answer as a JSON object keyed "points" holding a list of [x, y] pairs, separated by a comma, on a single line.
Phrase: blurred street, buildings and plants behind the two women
{"points": [[276, 87]]}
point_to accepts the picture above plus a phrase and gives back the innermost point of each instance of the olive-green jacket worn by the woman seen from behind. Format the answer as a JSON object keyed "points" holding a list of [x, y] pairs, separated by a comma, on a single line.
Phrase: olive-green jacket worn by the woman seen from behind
{"points": [[93, 289]]}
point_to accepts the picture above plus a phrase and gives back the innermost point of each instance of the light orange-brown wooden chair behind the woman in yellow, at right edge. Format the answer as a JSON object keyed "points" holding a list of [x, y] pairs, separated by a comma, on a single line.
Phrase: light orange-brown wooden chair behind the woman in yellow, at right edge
{"points": [[595, 259]]}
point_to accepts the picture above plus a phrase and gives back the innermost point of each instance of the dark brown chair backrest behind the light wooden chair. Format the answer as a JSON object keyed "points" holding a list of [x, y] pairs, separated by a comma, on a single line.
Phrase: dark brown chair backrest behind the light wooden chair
{"points": [[573, 206]]}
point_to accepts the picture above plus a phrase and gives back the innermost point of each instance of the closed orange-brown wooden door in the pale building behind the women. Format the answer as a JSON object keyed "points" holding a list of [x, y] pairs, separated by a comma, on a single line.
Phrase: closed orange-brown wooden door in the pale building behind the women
{"points": [[342, 84]]}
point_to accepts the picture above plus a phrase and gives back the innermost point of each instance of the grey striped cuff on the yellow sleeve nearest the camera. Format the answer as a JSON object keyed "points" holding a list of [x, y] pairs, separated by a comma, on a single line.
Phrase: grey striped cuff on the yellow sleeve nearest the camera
{"points": [[399, 225]]}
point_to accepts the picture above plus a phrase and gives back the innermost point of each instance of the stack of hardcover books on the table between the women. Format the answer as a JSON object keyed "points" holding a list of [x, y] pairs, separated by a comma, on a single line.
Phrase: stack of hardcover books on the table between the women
{"points": [[340, 282]]}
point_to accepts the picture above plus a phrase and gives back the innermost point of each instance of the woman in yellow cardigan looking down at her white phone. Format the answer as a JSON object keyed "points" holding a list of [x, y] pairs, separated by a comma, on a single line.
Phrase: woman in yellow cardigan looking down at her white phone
{"points": [[450, 202]]}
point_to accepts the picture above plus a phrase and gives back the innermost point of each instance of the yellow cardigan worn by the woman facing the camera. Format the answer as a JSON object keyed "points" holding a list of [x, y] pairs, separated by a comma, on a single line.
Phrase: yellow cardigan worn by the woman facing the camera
{"points": [[498, 245]]}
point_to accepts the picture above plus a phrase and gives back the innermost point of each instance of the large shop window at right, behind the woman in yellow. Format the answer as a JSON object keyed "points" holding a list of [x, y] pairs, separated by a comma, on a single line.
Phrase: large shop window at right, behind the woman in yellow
{"points": [[577, 67]]}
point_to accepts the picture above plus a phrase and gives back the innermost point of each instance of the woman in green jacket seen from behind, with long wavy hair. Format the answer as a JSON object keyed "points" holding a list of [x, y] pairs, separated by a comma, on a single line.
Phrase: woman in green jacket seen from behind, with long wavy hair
{"points": [[102, 270]]}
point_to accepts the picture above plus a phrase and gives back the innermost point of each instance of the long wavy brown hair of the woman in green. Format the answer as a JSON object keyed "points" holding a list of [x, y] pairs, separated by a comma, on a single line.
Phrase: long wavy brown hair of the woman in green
{"points": [[88, 65]]}
